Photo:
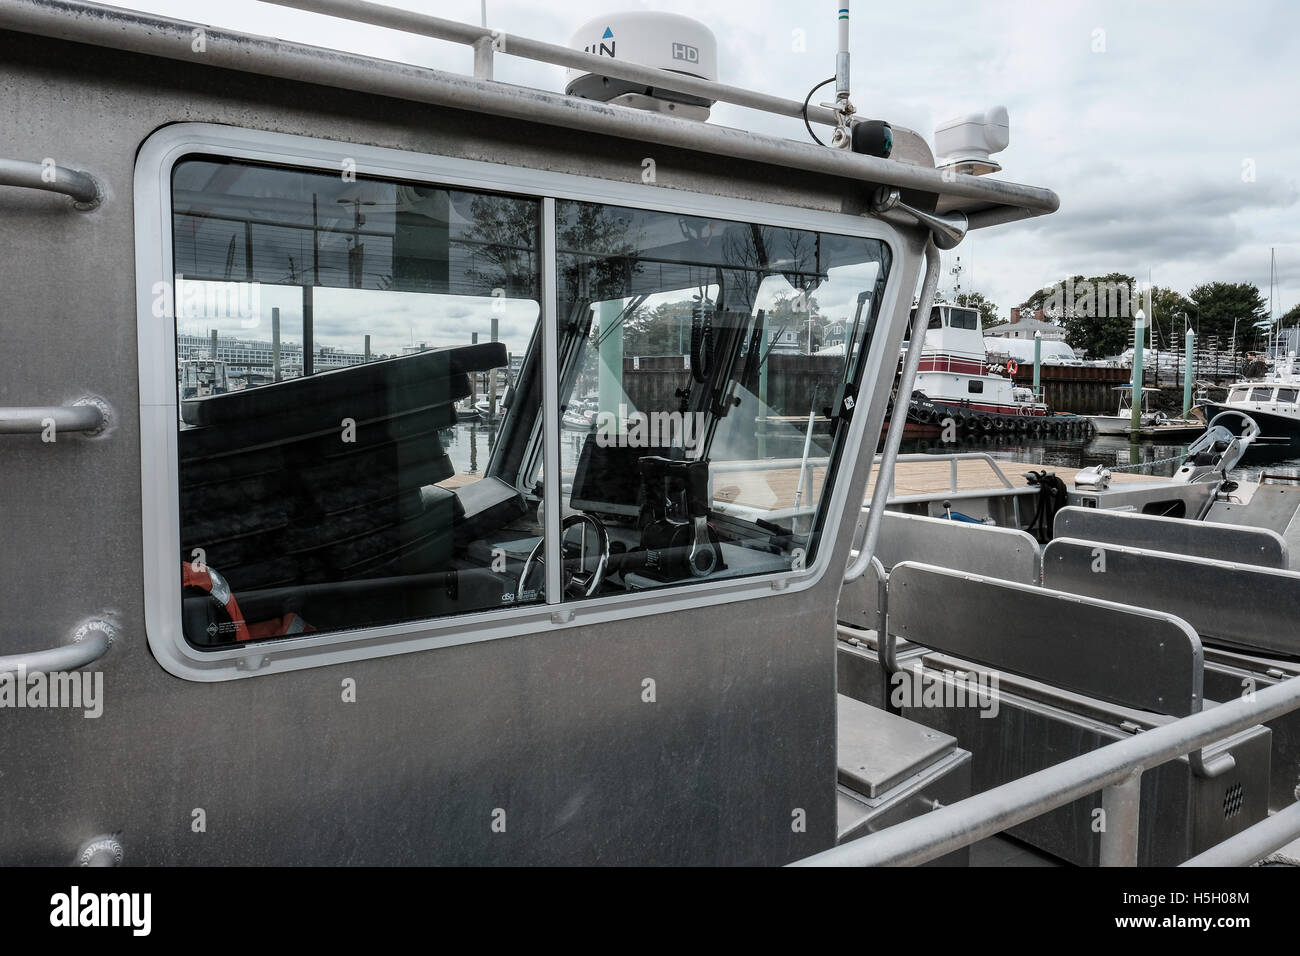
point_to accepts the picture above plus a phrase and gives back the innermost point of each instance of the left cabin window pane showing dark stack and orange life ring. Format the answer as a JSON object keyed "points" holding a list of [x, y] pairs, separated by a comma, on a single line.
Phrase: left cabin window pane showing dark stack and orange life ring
{"points": [[353, 380]]}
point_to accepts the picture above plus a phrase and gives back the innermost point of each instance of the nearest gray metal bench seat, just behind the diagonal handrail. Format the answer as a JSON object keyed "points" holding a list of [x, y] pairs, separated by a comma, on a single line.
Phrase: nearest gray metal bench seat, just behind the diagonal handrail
{"points": [[1074, 673]]}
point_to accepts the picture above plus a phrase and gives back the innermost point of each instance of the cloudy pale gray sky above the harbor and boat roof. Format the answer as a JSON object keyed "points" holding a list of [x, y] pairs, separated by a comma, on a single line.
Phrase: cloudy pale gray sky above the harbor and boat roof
{"points": [[1171, 131]]}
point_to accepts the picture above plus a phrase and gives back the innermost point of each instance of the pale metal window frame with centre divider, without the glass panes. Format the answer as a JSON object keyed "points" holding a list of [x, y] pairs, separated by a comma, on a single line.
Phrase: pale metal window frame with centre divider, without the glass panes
{"points": [[158, 397]]}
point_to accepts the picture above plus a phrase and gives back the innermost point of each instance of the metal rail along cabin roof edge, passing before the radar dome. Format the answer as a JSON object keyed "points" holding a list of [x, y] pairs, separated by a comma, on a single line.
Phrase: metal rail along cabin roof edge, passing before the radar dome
{"points": [[491, 41]]}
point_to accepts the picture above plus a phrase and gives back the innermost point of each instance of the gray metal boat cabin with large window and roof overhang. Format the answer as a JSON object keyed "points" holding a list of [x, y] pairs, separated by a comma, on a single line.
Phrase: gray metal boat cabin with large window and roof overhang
{"points": [[339, 616]]}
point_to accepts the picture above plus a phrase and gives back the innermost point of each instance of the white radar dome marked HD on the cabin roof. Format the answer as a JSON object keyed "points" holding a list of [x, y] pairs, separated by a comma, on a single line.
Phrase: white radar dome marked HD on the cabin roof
{"points": [[664, 41]]}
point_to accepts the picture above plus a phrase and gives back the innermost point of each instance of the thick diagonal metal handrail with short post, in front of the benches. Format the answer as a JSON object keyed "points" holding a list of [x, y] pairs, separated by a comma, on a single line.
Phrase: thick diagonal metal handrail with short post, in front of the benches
{"points": [[1110, 769]]}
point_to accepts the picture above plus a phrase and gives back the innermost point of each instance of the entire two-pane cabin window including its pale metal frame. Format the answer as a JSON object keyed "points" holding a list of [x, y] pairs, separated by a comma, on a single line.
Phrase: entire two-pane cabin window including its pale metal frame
{"points": [[383, 384]]}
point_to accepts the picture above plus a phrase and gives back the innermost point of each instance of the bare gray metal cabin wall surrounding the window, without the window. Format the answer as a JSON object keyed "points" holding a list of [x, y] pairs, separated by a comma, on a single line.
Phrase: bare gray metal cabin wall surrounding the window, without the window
{"points": [[552, 729]]}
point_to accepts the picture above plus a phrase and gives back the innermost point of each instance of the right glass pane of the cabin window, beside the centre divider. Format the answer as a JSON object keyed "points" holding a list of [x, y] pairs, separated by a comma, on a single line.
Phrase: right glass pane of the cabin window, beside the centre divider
{"points": [[700, 400]]}
